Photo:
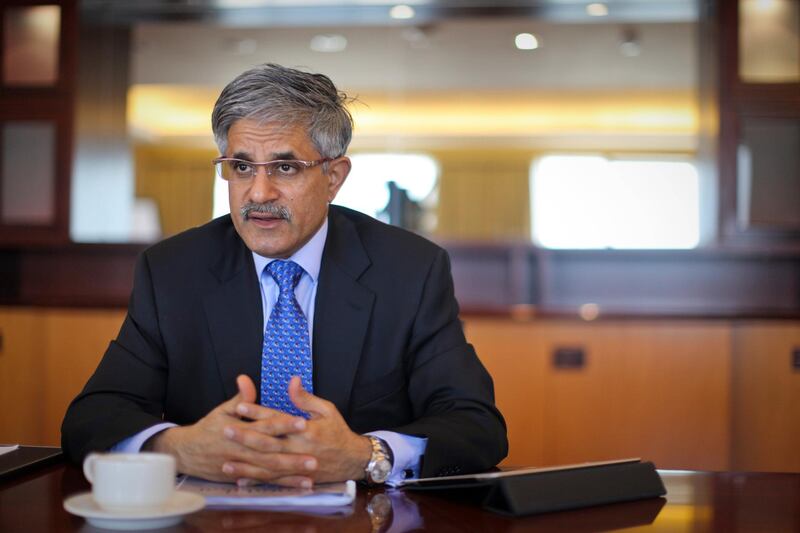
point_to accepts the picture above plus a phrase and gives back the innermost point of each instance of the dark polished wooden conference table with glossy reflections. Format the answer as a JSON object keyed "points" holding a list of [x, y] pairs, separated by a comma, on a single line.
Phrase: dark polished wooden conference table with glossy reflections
{"points": [[695, 501]]}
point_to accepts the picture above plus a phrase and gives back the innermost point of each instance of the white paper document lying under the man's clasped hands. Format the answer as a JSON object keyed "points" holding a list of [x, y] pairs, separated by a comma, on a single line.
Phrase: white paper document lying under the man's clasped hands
{"points": [[228, 494]]}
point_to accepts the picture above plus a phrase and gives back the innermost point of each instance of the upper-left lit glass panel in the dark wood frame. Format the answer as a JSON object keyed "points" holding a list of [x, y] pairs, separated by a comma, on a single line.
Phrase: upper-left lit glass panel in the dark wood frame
{"points": [[30, 47]]}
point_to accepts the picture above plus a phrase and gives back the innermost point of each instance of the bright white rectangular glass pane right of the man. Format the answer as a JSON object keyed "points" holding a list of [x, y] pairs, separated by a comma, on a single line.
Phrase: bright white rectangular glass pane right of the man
{"points": [[590, 202]]}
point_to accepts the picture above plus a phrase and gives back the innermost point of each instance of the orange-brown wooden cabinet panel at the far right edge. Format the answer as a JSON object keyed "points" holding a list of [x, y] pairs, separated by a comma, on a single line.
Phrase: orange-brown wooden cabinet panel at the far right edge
{"points": [[766, 401]]}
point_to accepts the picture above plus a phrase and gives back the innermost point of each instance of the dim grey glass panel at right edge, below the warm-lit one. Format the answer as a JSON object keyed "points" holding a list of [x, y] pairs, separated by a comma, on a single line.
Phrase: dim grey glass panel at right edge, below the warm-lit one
{"points": [[769, 173]]}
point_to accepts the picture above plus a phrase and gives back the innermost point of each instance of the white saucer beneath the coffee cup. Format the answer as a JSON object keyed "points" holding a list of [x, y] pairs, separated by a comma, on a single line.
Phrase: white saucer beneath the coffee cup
{"points": [[168, 514]]}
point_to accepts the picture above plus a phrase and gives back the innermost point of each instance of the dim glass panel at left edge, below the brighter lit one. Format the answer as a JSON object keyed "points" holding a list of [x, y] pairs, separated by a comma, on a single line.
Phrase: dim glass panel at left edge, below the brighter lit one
{"points": [[28, 178]]}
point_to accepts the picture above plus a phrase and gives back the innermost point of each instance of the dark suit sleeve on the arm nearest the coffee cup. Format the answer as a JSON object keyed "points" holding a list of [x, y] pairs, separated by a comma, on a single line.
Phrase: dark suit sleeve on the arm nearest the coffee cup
{"points": [[126, 392]]}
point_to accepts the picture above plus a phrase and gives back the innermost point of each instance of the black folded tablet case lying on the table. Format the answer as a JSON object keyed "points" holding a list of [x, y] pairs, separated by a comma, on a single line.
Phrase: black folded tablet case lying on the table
{"points": [[560, 490]]}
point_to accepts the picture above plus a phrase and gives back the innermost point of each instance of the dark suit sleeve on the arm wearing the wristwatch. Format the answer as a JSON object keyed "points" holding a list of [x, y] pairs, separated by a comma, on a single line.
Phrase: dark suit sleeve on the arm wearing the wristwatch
{"points": [[451, 392]]}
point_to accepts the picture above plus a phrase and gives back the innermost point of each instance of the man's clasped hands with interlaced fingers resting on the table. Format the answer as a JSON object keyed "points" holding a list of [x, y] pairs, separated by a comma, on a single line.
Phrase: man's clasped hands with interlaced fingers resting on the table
{"points": [[242, 441]]}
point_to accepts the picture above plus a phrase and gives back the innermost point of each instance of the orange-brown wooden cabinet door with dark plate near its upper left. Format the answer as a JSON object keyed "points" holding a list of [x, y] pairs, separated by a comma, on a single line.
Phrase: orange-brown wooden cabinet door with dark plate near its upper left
{"points": [[650, 390]]}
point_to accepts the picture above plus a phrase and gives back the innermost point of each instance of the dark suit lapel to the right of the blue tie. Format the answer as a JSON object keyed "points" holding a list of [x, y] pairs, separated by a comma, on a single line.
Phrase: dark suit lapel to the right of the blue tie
{"points": [[342, 312]]}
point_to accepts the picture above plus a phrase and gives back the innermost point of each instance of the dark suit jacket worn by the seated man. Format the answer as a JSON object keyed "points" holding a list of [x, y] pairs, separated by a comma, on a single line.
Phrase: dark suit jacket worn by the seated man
{"points": [[389, 350]]}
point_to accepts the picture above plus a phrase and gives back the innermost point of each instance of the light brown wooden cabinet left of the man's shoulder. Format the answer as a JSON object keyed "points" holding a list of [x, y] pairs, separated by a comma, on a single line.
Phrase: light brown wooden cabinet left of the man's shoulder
{"points": [[46, 357]]}
